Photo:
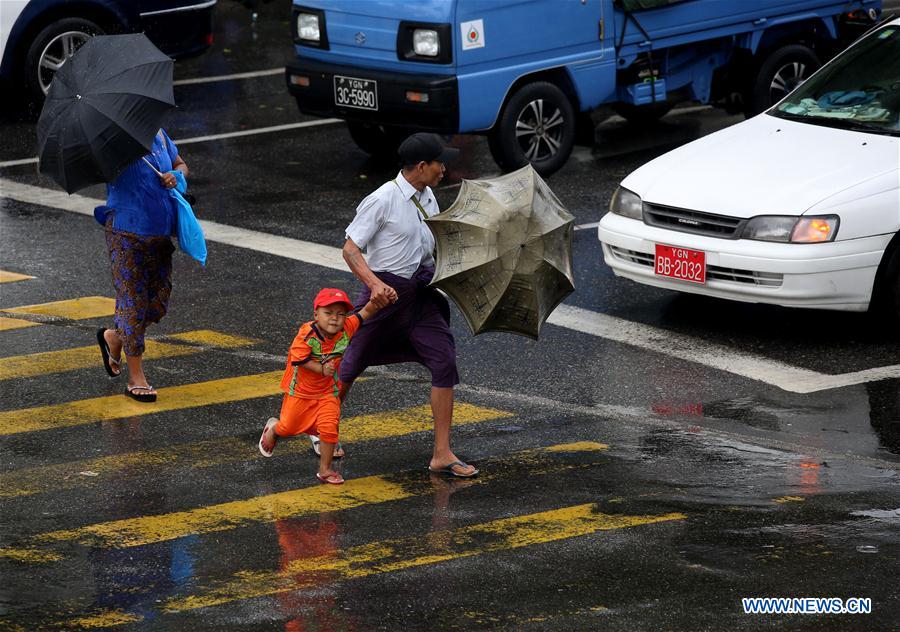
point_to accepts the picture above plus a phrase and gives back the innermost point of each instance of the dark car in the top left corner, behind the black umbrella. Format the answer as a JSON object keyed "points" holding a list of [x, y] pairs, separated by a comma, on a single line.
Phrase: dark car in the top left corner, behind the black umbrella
{"points": [[38, 36]]}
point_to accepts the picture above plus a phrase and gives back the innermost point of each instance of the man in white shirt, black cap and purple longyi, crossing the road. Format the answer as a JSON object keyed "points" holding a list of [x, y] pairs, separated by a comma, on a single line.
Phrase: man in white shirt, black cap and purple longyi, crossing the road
{"points": [[413, 325]]}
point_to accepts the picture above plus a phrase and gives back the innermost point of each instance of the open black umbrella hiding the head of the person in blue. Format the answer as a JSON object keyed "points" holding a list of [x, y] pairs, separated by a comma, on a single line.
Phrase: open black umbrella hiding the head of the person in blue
{"points": [[104, 107]]}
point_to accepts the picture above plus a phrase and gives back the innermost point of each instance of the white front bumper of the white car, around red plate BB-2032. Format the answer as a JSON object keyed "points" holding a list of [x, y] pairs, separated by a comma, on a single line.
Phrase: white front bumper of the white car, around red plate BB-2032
{"points": [[839, 275]]}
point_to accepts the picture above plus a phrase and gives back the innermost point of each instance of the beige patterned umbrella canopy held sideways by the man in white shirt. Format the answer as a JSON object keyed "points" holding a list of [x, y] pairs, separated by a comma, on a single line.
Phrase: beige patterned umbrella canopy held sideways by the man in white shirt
{"points": [[504, 252]]}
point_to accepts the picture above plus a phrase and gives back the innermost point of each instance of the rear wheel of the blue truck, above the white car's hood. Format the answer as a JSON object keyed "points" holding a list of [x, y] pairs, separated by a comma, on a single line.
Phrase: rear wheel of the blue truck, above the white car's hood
{"points": [[783, 70]]}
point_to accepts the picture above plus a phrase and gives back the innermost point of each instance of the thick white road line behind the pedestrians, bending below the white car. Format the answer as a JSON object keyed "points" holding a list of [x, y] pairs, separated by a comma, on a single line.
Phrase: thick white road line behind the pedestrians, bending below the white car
{"points": [[654, 339]]}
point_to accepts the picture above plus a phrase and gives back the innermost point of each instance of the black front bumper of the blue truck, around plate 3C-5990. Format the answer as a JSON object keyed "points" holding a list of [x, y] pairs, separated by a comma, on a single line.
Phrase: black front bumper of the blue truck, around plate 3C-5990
{"points": [[440, 113]]}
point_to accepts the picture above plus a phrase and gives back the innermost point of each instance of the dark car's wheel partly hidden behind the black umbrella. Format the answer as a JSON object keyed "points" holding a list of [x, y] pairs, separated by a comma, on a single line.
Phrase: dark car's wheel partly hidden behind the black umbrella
{"points": [[52, 47]]}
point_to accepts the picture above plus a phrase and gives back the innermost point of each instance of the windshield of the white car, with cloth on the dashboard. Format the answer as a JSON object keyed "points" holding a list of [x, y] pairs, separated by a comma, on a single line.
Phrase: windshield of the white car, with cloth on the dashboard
{"points": [[860, 90]]}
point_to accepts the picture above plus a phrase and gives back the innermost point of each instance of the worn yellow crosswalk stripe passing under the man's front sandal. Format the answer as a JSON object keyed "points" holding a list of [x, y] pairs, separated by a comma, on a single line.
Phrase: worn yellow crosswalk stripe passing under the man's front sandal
{"points": [[299, 502]]}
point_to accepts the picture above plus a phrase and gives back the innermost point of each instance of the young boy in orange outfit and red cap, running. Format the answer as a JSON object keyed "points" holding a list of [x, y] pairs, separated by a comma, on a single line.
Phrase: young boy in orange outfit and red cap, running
{"points": [[311, 404]]}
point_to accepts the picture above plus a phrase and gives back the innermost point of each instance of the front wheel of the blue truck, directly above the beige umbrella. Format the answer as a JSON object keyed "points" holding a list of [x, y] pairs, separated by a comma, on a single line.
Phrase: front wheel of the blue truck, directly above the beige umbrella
{"points": [[537, 126]]}
